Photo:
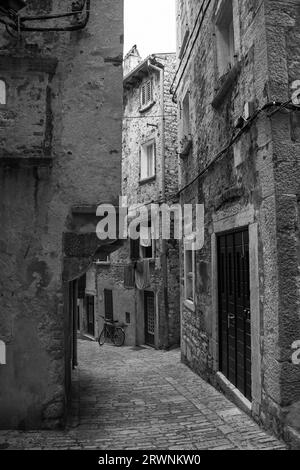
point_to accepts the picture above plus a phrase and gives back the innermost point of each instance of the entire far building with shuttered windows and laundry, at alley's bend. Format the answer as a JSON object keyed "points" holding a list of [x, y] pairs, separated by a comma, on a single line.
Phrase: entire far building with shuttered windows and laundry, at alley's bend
{"points": [[151, 314]]}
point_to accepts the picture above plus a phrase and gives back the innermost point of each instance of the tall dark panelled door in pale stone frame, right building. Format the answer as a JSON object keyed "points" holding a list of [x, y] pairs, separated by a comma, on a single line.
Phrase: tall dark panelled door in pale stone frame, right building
{"points": [[234, 309]]}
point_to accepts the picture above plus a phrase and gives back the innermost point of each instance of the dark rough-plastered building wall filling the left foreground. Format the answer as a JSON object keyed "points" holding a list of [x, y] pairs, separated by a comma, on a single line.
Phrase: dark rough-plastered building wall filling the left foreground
{"points": [[60, 156]]}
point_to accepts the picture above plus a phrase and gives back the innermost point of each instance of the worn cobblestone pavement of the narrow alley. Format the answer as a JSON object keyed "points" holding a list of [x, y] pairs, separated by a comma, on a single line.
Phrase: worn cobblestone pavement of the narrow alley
{"points": [[139, 398]]}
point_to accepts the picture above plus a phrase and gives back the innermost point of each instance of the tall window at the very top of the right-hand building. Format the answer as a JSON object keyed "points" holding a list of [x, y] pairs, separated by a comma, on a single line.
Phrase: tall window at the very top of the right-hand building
{"points": [[225, 37]]}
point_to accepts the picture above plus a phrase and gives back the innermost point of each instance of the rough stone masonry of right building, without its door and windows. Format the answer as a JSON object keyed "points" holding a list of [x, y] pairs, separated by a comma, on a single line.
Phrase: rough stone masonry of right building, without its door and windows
{"points": [[260, 173]]}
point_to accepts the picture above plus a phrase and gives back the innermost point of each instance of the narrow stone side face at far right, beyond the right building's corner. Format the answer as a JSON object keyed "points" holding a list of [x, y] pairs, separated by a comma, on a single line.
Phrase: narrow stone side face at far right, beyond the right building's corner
{"points": [[281, 377]]}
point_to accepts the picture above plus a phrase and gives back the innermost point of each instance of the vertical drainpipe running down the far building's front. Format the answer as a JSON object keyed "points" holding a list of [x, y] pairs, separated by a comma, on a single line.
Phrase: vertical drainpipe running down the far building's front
{"points": [[164, 260]]}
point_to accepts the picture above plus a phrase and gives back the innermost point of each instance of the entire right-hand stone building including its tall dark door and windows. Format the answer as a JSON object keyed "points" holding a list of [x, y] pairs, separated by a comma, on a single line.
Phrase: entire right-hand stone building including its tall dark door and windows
{"points": [[240, 292]]}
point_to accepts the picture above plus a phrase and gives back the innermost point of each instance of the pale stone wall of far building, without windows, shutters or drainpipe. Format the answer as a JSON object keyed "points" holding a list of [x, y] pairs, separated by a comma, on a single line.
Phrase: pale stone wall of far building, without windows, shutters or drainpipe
{"points": [[136, 131]]}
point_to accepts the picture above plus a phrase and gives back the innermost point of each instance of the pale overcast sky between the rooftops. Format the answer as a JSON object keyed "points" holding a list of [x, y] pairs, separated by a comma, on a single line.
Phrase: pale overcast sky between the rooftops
{"points": [[150, 24]]}
